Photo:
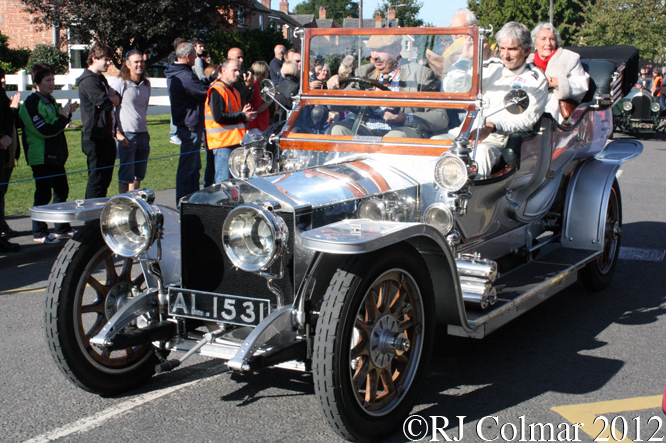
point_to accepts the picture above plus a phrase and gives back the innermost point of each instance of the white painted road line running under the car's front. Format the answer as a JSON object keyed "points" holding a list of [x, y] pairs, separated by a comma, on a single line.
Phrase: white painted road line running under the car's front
{"points": [[96, 420]]}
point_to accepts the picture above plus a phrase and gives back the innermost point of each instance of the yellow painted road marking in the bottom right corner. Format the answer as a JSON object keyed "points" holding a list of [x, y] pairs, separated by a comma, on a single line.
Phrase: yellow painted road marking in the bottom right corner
{"points": [[586, 413]]}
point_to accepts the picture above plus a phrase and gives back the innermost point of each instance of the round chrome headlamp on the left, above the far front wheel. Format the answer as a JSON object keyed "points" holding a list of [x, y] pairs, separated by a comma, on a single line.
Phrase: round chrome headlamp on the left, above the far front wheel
{"points": [[130, 225]]}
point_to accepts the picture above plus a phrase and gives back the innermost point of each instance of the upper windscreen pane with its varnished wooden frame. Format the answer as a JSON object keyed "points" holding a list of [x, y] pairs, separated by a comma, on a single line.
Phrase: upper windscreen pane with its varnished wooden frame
{"points": [[390, 62]]}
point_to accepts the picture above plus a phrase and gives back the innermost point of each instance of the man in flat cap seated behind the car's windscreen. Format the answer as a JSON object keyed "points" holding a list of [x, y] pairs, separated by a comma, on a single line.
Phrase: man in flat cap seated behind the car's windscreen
{"points": [[389, 69]]}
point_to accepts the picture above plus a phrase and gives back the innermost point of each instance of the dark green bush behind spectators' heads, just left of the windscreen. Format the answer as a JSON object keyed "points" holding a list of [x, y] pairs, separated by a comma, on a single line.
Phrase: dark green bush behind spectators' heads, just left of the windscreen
{"points": [[256, 45]]}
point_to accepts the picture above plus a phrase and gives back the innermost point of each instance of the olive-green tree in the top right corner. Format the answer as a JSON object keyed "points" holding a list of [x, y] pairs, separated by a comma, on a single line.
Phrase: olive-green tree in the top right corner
{"points": [[639, 23]]}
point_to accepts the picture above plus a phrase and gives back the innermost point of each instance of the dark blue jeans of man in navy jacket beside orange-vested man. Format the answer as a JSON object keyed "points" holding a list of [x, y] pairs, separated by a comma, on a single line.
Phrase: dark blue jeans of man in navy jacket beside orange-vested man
{"points": [[189, 163]]}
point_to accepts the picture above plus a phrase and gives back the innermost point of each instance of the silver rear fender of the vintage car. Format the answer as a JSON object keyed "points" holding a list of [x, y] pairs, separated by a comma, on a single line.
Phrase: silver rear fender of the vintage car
{"points": [[587, 196]]}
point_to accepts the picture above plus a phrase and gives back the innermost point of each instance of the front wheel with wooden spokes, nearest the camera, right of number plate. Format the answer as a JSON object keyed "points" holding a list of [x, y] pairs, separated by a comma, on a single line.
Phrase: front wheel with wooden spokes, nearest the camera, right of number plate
{"points": [[373, 342]]}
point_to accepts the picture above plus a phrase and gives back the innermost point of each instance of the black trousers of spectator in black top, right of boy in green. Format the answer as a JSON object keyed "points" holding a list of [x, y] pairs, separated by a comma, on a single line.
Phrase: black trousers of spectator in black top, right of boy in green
{"points": [[101, 155]]}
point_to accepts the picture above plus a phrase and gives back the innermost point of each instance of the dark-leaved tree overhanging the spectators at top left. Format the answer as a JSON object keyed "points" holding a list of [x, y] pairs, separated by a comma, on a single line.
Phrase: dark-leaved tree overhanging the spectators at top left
{"points": [[148, 25]]}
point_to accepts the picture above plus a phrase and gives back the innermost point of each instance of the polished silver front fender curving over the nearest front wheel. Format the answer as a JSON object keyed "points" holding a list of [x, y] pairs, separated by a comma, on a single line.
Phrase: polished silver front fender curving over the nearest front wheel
{"points": [[364, 236]]}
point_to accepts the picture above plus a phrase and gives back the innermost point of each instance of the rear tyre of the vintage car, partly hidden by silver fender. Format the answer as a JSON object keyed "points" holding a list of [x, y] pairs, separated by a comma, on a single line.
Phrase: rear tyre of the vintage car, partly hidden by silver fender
{"points": [[598, 274]]}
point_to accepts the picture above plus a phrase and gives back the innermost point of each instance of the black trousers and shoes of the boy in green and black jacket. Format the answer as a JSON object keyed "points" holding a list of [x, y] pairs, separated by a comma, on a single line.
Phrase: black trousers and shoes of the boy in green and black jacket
{"points": [[49, 178]]}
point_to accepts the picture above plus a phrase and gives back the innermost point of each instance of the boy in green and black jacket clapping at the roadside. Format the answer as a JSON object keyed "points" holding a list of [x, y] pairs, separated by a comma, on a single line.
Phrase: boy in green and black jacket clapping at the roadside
{"points": [[46, 148]]}
